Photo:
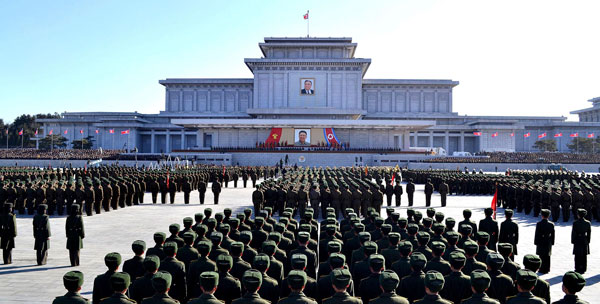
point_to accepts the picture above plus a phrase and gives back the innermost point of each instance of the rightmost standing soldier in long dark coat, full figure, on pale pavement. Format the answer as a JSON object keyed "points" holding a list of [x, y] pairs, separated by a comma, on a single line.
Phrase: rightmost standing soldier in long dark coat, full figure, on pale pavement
{"points": [[581, 235]]}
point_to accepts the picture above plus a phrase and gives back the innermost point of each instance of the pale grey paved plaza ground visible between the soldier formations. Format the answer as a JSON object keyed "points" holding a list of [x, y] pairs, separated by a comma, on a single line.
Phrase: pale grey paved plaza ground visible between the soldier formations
{"points": [[25, 282]]}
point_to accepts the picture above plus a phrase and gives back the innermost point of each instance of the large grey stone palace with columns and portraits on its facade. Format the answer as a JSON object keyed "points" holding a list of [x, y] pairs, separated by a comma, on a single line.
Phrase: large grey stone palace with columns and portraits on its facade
{"points": [[314, 88]]}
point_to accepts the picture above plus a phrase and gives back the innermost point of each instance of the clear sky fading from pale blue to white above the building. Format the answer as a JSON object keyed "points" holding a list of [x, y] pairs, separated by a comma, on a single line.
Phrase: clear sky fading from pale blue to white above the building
{"points": [[511, 57]]}
